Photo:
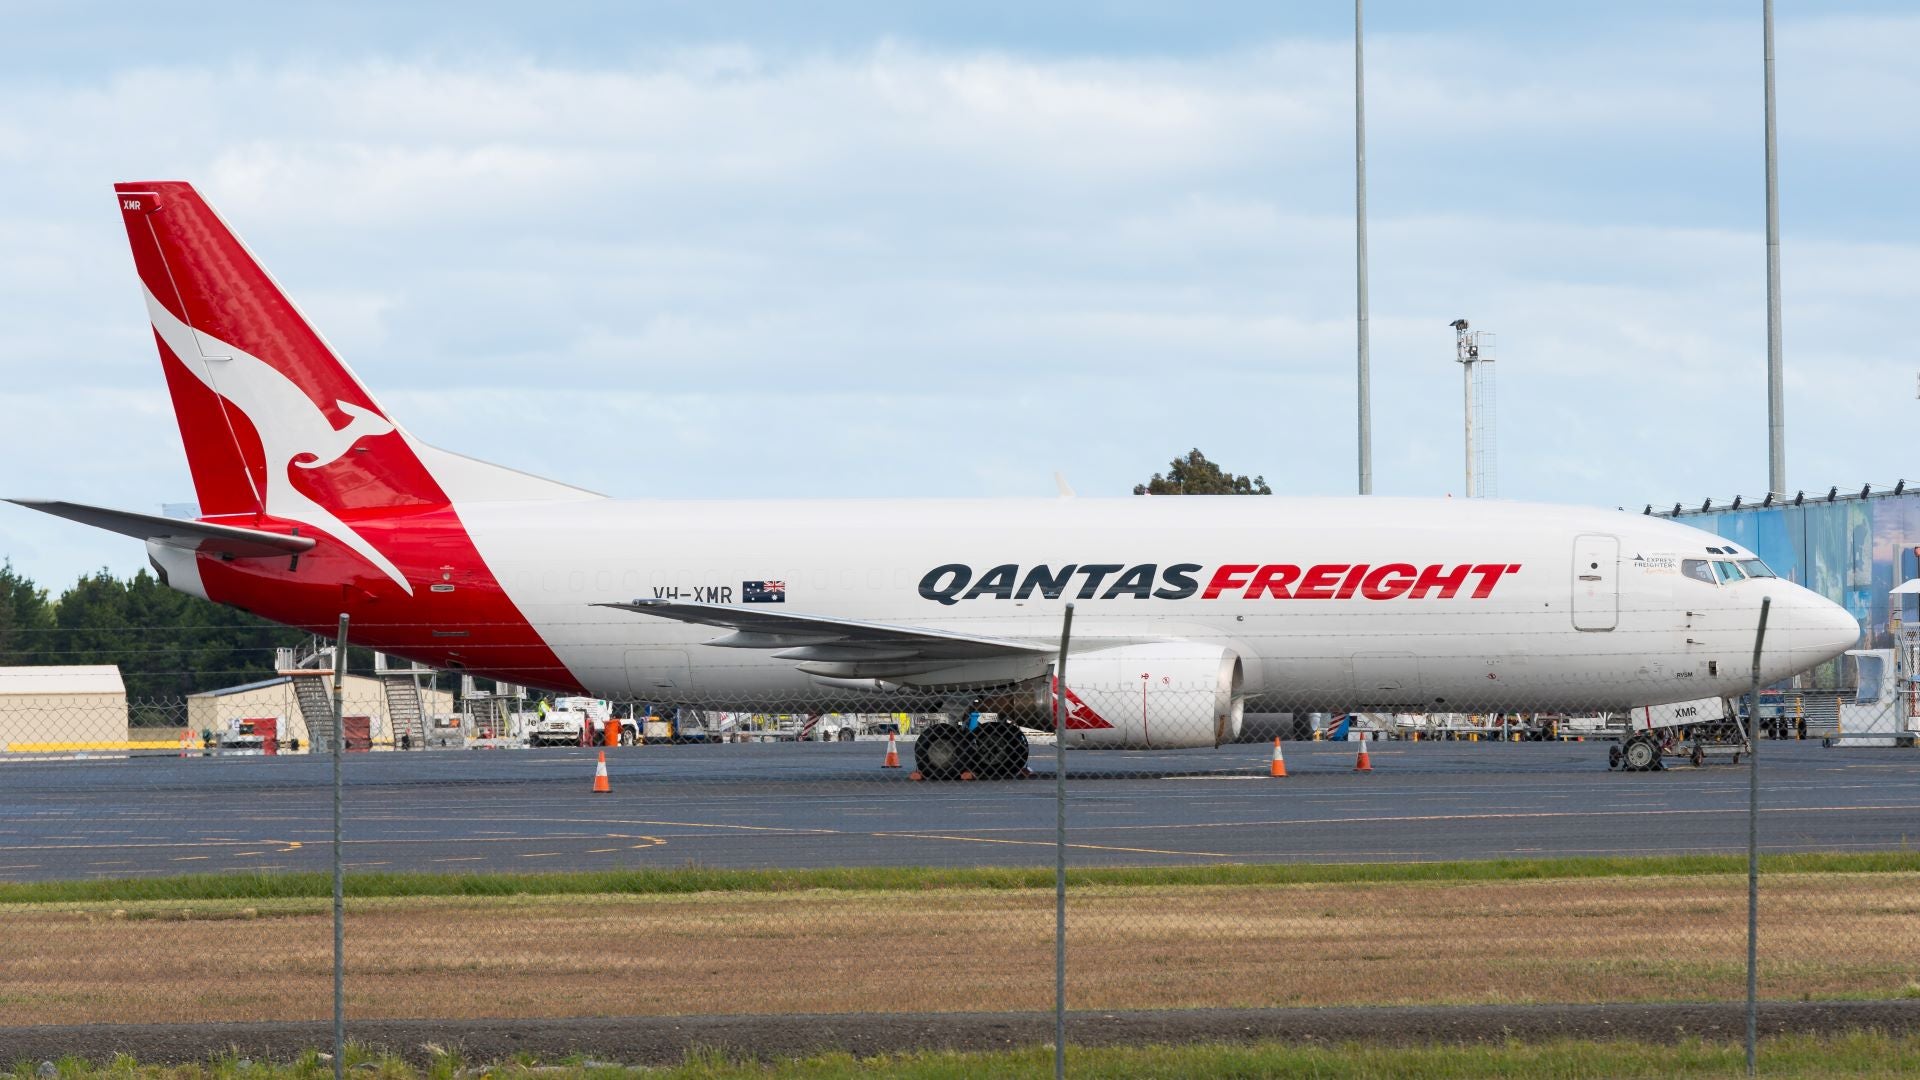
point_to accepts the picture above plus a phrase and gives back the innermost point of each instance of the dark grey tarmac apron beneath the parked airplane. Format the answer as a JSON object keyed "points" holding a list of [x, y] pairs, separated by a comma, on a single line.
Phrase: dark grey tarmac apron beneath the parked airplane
{"points": [[834, 806]]}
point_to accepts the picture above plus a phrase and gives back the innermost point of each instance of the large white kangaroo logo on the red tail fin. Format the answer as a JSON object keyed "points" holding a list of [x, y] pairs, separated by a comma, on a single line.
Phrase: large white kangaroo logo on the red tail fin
{"points": [[293, 430]]}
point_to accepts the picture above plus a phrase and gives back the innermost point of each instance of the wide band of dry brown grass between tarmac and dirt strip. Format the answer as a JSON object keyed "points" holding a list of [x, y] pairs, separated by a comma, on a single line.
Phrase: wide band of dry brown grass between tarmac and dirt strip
{"points": [[1166, 946]]}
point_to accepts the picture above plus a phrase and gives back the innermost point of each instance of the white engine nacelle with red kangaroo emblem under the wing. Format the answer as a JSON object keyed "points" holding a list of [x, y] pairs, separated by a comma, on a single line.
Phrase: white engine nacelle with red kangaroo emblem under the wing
{"points": [[1157, 697]]}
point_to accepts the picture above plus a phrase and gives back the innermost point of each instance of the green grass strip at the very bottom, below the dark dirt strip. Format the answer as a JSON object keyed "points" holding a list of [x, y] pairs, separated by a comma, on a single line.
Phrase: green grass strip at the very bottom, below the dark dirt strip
{"points": [[1858, 1054]]}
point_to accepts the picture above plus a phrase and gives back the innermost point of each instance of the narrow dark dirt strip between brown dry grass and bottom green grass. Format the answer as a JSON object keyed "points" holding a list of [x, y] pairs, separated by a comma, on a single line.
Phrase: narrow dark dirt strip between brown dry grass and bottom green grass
{"points": [[667, 1041]]}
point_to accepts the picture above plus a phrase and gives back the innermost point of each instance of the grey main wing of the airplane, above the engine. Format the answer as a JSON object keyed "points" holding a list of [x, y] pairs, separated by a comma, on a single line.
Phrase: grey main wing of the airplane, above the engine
{"points": [[823, 639]]}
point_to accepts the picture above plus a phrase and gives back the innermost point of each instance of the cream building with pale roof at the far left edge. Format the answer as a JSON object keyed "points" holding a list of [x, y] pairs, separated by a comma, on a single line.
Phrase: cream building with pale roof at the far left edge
{"points": [[62, 708]]}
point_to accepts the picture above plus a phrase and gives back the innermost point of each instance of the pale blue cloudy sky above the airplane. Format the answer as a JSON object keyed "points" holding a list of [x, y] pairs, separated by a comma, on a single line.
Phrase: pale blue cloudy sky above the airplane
{"points": [[884, 249]]}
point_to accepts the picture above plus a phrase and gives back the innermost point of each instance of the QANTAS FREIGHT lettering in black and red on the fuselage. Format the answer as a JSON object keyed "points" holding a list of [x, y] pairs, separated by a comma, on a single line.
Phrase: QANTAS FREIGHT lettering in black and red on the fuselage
{"points": [[953, 583]]}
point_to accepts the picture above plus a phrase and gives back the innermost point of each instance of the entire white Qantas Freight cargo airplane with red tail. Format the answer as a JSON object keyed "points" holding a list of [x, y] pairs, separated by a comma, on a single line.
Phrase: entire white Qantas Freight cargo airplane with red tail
{"points": [[1189, 610]]}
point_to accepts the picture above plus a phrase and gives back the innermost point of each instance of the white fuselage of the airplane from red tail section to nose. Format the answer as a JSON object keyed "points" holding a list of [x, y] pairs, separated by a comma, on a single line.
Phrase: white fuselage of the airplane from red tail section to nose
{"points": [[1558, 608]]}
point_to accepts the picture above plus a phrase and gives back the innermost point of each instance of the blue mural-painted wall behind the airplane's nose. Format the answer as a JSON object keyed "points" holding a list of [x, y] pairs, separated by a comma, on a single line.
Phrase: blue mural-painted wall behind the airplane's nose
{"points": [[1852, 551]]}
